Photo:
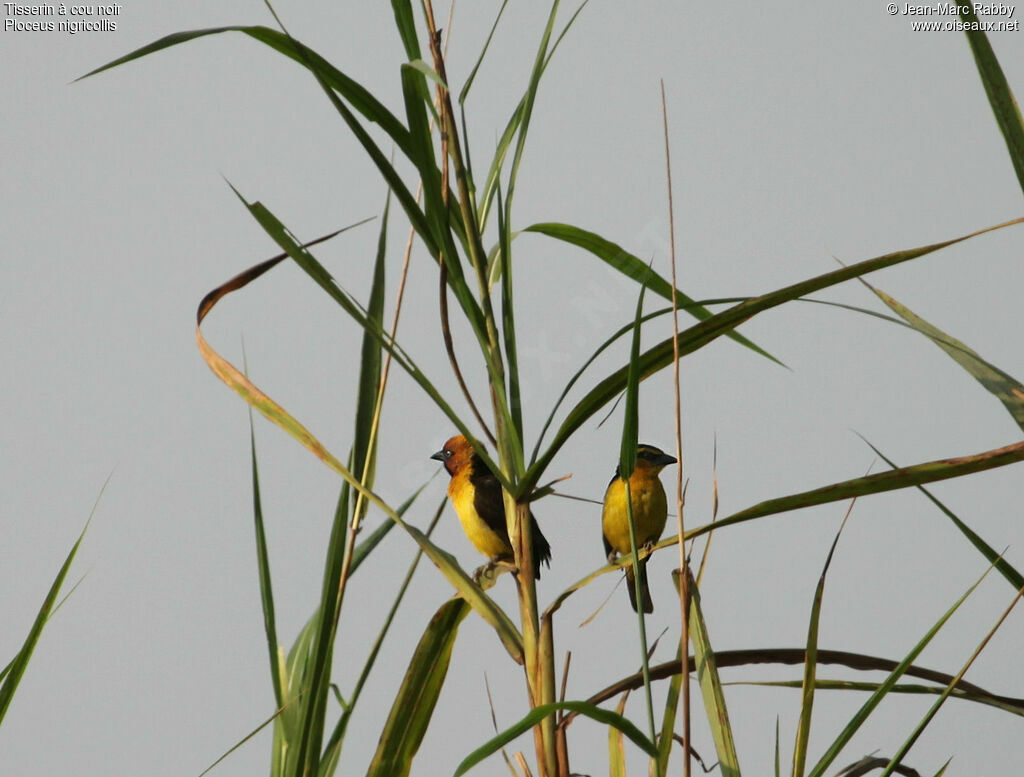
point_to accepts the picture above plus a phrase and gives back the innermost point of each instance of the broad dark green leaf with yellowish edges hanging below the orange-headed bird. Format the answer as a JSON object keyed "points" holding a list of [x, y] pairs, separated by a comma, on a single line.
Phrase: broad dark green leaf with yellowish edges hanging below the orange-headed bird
{"points": [[414, 705]]}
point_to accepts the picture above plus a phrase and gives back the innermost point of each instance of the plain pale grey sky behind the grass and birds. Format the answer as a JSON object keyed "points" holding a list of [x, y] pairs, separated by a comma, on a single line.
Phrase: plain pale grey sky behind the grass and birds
{"points": [[828, 131]]}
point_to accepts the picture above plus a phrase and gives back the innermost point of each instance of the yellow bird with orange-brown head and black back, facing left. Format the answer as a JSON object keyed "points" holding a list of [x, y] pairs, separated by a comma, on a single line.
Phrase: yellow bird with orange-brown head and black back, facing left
{"points": [[477, 496]]}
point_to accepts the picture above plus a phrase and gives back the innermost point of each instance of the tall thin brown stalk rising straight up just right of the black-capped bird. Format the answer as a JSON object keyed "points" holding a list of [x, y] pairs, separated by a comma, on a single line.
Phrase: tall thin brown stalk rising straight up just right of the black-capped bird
{"points": [[685, 598]]}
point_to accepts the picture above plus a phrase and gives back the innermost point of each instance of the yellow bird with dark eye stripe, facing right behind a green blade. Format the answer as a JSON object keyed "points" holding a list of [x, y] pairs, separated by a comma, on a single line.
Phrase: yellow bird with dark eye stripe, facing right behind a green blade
{"points": [[651, 508]]}
